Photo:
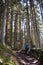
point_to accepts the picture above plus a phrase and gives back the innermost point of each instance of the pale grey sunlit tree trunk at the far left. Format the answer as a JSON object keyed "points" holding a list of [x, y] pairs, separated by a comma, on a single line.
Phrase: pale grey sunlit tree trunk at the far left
{"points": [[4, 23]]}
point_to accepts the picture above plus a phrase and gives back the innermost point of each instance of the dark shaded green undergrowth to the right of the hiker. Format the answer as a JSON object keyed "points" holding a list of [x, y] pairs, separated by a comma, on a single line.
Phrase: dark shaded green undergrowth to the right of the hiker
{"points": [[37, 53]]}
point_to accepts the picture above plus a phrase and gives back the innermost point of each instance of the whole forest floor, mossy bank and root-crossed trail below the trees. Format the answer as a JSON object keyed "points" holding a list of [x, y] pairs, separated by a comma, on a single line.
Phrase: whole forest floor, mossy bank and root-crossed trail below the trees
{"points": [[11, 57]]}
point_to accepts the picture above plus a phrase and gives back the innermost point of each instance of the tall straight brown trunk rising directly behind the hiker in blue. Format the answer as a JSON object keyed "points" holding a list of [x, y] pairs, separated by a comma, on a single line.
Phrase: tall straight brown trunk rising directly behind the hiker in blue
{"points": [[29, 40]]}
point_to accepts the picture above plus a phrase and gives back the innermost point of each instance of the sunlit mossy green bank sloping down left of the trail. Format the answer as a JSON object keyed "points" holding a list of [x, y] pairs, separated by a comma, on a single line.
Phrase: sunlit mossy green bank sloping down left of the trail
{"points": [[7, 56]]}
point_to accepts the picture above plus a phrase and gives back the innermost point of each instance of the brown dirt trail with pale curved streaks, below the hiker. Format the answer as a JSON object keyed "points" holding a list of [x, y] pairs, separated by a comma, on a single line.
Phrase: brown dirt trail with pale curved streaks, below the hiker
{"points": [[24, 59]]}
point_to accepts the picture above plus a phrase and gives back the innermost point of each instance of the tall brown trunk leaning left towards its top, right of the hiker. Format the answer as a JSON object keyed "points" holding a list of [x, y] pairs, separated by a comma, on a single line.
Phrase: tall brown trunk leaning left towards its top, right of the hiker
{"points": [[33, 16]]}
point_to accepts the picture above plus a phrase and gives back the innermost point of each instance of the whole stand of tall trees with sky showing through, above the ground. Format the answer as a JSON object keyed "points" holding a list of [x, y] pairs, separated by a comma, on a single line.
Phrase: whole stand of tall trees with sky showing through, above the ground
{"points": [[21, 21]]}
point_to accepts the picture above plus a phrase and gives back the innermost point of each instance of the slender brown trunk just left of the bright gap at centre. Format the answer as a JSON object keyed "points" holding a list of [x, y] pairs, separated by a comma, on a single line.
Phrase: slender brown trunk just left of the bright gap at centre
{"points": [[19, 41]]}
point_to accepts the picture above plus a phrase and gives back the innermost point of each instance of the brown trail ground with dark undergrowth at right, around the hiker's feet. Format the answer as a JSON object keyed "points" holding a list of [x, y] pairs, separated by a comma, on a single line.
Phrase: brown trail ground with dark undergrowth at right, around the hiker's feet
{"points": [[35, 57]]}
